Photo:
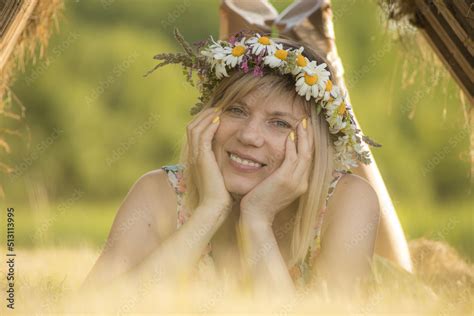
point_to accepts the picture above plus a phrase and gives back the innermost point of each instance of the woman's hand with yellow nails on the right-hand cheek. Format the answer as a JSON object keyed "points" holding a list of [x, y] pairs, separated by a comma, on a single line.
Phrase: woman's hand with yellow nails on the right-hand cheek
{"points": [[286, 183]]}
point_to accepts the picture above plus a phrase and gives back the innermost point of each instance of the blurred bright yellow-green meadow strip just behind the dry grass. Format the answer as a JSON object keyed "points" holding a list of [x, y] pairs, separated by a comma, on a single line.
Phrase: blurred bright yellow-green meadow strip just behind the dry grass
{"points": [[88, 224]]}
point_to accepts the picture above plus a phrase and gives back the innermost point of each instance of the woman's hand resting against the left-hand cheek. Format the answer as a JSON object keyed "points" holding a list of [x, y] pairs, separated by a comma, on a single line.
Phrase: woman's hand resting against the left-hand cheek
{"points": [[210, 182]]}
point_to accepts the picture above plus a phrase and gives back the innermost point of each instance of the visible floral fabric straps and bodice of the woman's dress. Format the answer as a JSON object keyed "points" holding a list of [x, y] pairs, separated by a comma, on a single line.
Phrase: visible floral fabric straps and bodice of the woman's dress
{"points": [[300, 272]]}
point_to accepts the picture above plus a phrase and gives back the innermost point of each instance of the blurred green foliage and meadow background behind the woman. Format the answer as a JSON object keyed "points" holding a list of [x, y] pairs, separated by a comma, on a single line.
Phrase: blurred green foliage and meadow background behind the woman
{"points": [[94, 124]]}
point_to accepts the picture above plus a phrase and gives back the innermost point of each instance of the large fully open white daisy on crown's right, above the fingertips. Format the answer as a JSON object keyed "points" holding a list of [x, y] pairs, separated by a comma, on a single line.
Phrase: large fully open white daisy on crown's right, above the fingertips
{"points": [[311, 80]]}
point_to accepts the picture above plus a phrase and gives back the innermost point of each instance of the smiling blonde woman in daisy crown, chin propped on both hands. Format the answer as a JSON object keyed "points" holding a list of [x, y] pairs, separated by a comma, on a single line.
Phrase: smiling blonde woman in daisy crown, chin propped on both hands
{"points": [[269, 195]]}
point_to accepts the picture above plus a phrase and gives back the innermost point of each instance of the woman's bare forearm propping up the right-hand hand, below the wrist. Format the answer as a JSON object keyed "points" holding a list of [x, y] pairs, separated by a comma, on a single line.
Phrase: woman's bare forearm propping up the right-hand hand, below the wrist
{"points": [[262, 258]]}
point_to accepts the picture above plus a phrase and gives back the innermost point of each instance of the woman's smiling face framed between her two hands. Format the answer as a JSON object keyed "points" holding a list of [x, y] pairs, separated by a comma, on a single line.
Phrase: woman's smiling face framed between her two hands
{"points": [[249, 144]]}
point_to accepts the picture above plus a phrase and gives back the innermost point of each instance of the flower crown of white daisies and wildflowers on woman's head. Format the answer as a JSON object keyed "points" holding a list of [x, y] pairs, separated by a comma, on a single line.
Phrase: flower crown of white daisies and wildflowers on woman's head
{"points": [[258, 53]]}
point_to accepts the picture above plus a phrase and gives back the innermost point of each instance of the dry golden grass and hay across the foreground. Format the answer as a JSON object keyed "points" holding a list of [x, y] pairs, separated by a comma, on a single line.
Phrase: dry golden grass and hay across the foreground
{"points": [[47, 280]]}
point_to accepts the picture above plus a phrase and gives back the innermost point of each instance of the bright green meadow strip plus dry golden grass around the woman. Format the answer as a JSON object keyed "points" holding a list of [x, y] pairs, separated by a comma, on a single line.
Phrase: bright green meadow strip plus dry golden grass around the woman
{"points": [[57, 248]]}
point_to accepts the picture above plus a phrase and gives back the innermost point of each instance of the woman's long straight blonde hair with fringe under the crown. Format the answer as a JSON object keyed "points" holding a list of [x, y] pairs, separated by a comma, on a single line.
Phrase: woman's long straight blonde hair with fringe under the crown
{"points": [[234, 88]]}
